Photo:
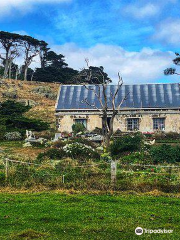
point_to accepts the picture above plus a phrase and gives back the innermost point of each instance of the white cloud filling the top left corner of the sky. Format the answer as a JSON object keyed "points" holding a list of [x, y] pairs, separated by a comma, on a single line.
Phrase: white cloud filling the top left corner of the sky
{"points": [[7, 6]]}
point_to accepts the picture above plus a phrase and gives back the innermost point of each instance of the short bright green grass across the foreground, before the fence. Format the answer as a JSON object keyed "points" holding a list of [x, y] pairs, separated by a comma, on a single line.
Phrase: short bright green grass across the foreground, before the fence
{"points": [[77, 216]]}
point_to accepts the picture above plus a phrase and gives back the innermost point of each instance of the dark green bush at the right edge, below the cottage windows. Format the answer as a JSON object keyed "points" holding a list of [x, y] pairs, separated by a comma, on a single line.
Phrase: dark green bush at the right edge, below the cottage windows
{"points": [[165, 153]]}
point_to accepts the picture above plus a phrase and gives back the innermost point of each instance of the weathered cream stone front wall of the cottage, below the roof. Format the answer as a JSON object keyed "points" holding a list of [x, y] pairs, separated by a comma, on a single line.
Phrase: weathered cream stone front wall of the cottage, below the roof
{"points": [[172, 121]]}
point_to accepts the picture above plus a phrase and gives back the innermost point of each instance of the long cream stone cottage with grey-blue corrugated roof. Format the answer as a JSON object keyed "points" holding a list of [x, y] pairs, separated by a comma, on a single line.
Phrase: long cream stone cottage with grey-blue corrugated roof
{"points": [[148, 108]]}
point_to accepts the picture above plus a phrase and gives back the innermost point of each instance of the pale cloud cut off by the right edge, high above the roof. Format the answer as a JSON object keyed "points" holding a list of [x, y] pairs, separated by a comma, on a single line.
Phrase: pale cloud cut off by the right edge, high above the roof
{"points": [[168, 31]]}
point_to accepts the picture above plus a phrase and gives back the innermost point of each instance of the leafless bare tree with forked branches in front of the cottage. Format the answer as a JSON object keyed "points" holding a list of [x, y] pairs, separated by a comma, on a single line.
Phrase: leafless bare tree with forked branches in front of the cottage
{"points": [[108, 108]]}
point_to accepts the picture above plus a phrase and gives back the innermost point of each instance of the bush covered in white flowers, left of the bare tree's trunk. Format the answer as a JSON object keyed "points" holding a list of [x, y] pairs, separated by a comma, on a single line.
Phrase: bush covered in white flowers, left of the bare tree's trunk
{"points": [[80, 151]]}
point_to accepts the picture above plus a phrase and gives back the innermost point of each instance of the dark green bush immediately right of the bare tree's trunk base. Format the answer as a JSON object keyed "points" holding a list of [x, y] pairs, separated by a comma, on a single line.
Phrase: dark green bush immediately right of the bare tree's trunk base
{"points": [[128, 143]]}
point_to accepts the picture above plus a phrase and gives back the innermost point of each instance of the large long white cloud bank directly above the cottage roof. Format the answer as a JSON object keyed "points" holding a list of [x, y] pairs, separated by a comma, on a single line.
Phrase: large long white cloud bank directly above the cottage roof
{"points": [[135, 67]]}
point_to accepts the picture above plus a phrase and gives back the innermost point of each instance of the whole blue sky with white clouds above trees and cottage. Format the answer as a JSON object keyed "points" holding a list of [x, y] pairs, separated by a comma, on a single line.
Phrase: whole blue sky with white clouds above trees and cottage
{"points": [[136, 38]]}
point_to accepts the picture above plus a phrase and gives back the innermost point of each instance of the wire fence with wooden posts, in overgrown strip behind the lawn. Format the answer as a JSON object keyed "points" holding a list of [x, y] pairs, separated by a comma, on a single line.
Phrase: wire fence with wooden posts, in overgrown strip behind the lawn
{"points": [[102, 175]]}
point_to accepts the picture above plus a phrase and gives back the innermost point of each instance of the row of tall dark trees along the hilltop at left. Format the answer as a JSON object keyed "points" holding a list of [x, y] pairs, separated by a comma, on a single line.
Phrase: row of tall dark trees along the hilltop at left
{"points": [[53, 67]]}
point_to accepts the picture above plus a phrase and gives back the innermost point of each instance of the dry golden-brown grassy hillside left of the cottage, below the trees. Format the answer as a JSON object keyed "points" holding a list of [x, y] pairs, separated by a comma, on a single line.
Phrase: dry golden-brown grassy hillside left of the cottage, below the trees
{"points": [[24, 91]]}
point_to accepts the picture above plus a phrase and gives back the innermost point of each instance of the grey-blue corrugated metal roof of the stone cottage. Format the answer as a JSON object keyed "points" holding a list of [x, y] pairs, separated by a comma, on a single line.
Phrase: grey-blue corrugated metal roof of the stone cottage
{"points": [[140, 96]]}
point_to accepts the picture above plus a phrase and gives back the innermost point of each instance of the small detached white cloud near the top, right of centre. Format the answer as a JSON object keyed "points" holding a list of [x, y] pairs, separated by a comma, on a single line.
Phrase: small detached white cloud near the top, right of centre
{"points": [[140, 12]]}
